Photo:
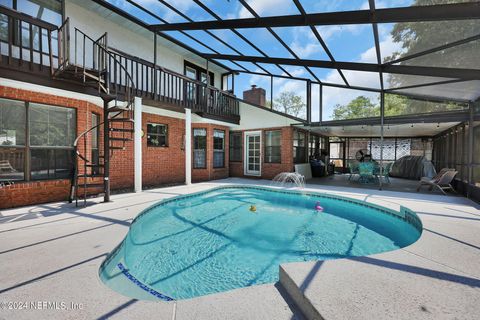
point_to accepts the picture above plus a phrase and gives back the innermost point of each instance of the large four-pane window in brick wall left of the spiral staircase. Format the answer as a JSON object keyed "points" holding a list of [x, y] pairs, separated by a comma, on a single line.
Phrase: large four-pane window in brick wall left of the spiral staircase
{"points": [[47, 150]]}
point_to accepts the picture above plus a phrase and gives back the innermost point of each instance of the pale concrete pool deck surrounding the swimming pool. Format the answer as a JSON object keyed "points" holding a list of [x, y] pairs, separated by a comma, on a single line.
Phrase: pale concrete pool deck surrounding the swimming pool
{"points": [[52, 253]]}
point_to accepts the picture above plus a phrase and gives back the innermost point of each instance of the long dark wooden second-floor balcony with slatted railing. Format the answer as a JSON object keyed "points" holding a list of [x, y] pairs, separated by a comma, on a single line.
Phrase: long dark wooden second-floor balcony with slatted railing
{"points": [[39, 52]]}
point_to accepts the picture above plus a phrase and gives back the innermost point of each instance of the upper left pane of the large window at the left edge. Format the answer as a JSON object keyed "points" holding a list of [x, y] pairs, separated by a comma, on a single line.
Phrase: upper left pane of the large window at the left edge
{"points": [[12, 123]]}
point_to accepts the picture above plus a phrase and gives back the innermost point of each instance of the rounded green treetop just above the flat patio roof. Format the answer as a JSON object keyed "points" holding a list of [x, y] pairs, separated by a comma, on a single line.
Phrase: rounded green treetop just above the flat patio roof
{"points": [[360, 107]]}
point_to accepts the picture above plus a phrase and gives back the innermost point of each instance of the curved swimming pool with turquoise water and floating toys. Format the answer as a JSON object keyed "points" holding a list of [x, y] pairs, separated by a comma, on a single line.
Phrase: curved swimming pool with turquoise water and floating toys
{"points": [[215, 241]]}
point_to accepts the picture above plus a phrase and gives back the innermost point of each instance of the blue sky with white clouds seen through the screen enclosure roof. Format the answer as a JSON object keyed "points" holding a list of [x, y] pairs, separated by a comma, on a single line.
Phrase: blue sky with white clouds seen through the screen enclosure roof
{"points": [[352, 43]]}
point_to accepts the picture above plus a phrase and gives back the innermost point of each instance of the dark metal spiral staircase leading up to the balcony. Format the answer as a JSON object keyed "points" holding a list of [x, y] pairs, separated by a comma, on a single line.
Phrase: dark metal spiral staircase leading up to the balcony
{"points": [[95, 66]]}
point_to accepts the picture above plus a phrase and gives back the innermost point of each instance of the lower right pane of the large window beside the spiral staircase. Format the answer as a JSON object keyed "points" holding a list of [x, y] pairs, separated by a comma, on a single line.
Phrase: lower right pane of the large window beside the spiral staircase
{"points": [[51, 164]]}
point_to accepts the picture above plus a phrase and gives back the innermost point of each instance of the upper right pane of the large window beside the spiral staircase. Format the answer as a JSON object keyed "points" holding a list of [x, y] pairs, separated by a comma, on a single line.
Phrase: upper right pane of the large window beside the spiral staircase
{"points": [[51, 126]]}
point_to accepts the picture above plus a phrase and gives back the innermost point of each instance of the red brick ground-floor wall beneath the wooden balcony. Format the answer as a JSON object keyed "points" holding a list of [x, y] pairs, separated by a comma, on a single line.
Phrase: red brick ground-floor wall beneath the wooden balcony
{"points": [[161, 165]]}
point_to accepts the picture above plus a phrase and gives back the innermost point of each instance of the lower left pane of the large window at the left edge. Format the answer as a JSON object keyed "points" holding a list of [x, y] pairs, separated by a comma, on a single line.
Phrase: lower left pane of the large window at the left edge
{"points": [[12, 164]]}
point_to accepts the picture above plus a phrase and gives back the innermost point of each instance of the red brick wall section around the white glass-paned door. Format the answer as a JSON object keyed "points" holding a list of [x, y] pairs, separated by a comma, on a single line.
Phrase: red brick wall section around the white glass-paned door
{"points": [[269, 170]]}
